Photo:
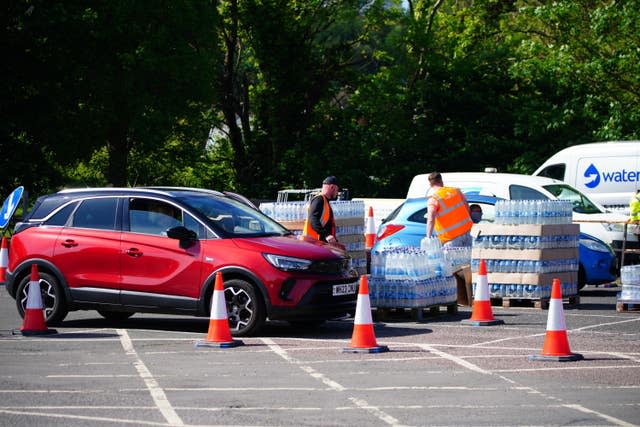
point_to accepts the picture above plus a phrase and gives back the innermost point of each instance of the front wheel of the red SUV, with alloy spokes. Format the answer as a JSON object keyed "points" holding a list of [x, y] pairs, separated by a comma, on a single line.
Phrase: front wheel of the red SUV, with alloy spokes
{"points": [[245, 308]]}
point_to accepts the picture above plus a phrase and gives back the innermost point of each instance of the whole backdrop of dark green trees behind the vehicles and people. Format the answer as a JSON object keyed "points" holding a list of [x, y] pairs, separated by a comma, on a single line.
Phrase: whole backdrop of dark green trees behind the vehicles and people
{"points": [[259, 95]]}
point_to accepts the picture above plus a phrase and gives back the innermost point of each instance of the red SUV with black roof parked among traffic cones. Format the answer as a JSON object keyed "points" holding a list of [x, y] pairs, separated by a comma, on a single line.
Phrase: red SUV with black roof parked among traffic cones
{"points": [[122, 251]]}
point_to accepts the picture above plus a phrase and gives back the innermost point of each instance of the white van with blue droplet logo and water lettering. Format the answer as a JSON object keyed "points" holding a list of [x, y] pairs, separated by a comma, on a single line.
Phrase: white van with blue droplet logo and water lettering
{"points": [[609, 172]]}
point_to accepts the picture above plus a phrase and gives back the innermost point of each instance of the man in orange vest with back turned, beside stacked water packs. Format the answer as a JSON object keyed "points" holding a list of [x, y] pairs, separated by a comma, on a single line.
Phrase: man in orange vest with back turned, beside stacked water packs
{"points": [[448, 214]]}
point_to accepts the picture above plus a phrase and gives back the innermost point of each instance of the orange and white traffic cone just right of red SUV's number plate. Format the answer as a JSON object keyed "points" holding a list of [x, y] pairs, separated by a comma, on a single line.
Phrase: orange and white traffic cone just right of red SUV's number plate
{"points": [[363, 339]]}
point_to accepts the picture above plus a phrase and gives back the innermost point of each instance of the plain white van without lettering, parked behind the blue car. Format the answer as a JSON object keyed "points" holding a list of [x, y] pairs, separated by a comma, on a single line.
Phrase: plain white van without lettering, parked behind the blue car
{"points": [[592, 217]]}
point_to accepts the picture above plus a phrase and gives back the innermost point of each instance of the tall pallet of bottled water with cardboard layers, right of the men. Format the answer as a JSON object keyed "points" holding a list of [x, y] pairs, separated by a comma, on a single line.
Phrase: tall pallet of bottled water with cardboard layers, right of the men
{"points": [[524, 255]]}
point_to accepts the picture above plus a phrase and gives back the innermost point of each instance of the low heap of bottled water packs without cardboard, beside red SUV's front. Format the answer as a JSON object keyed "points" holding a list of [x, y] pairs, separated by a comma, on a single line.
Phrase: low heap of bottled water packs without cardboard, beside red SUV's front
{"points": [[411, 277]]}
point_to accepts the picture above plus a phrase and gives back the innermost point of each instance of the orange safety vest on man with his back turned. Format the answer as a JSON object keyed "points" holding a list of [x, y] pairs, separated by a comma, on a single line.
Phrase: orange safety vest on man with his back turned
{"points": [[453, 219]]}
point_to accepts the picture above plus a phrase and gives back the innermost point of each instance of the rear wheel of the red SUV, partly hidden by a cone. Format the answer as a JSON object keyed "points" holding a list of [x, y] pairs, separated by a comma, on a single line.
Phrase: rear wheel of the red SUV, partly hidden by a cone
{"points": [[53, 302]]}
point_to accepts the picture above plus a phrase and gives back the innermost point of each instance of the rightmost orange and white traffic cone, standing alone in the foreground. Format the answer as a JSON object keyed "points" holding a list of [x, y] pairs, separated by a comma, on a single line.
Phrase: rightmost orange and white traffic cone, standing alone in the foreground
{"points": [[556, 344]]}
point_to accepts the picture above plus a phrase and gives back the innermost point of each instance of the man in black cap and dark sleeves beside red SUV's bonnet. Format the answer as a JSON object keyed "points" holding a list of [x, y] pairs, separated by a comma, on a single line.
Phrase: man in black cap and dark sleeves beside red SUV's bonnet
{"points": [[320, 224]]}
